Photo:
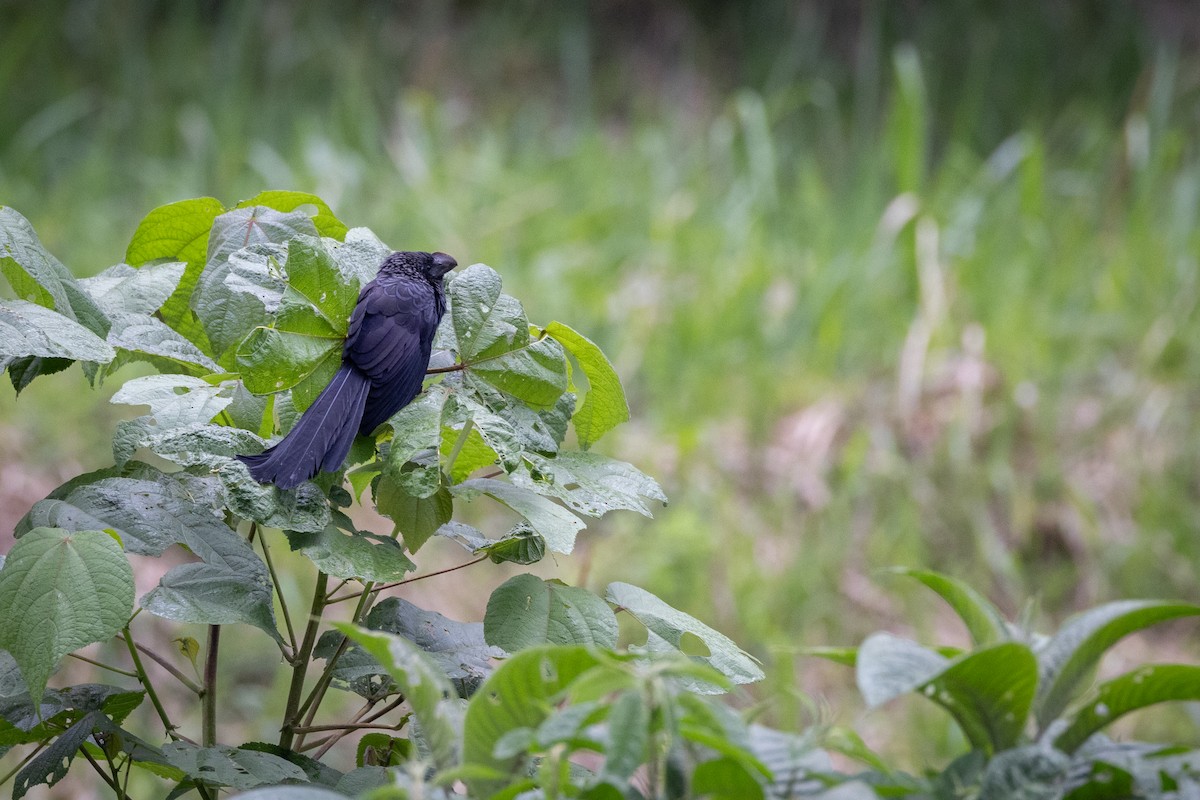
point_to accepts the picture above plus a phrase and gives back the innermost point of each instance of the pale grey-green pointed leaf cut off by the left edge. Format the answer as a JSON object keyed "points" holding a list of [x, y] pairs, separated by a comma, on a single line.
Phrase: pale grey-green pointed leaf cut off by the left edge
{"points": [[31, 330]]}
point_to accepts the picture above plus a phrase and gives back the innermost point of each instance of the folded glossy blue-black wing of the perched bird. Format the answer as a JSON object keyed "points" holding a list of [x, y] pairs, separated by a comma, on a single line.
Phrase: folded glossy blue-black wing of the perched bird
{"points": [[389, 340]]}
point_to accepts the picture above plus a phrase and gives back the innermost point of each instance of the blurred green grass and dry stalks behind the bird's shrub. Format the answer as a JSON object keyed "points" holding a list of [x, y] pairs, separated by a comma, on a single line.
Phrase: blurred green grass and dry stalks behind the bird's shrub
{"points": [[889, 281]]}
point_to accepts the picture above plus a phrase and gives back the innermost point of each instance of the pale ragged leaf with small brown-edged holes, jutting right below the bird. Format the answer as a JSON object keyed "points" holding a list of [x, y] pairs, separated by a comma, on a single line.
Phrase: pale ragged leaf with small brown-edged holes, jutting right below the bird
{"points": [[589, 483]]}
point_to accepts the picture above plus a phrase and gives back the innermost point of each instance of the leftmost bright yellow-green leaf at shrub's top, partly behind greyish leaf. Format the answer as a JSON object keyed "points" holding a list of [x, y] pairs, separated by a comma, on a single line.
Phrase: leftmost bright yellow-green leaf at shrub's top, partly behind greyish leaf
{"points": [[178, 232]]}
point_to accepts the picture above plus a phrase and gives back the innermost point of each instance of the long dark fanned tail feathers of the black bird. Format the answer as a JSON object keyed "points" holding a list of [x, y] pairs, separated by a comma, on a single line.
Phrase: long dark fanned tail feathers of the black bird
{"points": [[321, 438]]}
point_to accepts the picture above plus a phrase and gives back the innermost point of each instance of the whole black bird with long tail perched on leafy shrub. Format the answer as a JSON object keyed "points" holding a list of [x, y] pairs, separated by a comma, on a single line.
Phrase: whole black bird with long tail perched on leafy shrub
{"points": [[383, 364]]}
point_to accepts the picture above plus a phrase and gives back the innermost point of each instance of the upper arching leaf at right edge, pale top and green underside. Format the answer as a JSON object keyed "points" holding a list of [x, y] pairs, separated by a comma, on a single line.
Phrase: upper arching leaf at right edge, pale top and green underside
{"points": [[1071, 654]]}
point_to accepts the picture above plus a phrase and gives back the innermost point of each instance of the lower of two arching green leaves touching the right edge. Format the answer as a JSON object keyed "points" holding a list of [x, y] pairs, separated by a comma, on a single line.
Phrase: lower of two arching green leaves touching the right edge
{"points": [[1135, 690]]}
